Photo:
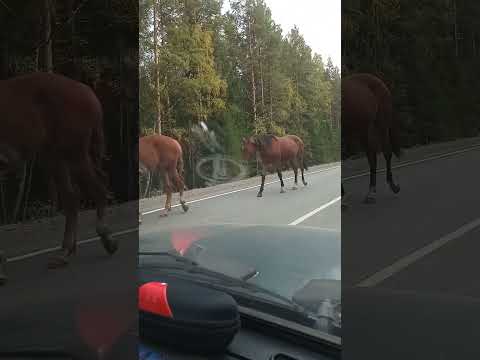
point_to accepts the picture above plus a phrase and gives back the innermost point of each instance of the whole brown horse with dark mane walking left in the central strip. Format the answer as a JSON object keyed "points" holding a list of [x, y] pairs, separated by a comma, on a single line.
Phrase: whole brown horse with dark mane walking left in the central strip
{"points": [[275, 153]]}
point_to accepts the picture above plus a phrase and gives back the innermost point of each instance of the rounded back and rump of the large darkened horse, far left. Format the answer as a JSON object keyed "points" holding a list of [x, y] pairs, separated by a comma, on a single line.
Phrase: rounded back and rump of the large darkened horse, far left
{"points": [[48, 110]]}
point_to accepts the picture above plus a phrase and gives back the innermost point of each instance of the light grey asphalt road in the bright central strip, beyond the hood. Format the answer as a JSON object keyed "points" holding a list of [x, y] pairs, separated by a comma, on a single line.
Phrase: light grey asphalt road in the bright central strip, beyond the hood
{"points": [[316, 204]]}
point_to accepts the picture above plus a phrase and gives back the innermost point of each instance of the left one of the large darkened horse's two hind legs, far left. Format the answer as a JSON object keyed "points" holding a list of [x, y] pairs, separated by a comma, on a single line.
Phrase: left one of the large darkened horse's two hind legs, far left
{"points": [[70, 203]]}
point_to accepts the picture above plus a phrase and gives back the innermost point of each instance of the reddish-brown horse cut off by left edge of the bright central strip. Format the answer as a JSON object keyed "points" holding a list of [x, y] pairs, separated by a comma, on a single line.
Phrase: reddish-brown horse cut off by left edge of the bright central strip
{"points": [[164, 155]]}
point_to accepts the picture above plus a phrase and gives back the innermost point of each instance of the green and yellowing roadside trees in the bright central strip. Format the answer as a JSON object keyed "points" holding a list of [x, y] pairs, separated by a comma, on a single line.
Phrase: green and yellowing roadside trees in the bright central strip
{"points": [[237, 73]]}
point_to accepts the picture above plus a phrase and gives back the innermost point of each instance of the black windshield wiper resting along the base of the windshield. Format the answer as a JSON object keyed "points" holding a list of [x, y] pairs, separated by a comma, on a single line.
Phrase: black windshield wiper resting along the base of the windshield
{"points": [[217, 280]]}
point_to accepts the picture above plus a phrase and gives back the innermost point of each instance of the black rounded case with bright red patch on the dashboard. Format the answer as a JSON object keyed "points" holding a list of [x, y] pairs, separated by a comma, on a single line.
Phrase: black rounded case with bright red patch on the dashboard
{"points": [[195, 319]]}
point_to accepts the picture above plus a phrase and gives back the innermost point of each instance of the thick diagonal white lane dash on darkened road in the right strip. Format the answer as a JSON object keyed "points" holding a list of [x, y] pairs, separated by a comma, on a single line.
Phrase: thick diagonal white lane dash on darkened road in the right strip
{"points": [[406, 261]]}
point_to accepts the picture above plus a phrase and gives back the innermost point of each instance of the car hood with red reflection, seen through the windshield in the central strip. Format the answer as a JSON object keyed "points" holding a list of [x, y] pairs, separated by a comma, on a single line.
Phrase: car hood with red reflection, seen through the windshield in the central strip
{"points": [[239, 258]]}
